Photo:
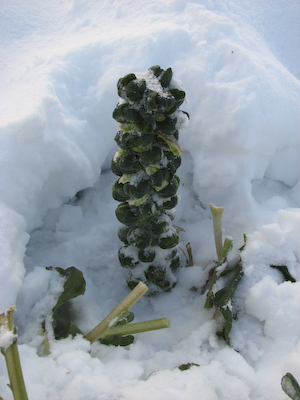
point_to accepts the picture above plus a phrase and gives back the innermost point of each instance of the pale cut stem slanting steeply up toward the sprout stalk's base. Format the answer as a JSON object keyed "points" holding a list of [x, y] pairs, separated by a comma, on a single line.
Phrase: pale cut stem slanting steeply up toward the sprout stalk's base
{"points": [[117, 312]]}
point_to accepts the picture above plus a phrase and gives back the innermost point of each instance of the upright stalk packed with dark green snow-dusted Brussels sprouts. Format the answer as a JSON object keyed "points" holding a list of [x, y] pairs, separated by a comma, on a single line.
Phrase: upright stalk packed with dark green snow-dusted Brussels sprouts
{"points": [[146, 164]]}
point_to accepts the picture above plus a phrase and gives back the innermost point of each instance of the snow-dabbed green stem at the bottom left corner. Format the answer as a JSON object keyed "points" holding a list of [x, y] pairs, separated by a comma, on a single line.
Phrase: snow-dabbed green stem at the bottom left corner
{"points": [[9, 348]]}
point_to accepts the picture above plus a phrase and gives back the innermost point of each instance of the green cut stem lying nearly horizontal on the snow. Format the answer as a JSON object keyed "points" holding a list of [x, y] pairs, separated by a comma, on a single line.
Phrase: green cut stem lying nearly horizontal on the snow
{"points": [[138, 327]]}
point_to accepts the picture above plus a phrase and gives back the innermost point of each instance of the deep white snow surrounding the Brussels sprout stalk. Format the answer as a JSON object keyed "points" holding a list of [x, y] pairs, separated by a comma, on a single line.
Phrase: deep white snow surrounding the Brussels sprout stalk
{"points": [[239, 66]]}
